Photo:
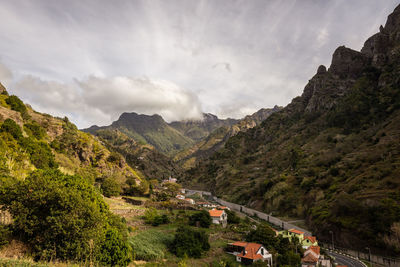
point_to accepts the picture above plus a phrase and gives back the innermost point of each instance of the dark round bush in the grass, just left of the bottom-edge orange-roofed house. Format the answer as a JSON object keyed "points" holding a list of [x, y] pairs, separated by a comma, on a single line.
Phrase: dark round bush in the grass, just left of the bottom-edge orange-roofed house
{"points": [[189, 242]]}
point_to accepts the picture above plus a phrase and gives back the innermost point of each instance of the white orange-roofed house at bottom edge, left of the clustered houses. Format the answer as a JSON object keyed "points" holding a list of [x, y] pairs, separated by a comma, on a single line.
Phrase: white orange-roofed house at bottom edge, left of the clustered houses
{"points": [[247, 253]]}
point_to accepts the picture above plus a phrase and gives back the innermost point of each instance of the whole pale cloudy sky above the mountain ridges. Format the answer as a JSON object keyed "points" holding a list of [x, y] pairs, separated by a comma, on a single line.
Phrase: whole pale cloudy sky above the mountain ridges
{"points": [[92, 60]]}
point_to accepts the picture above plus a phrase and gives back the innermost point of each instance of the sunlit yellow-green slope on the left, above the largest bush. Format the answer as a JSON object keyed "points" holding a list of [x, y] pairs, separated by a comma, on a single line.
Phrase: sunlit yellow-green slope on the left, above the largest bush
{"points": [[30, 140]]}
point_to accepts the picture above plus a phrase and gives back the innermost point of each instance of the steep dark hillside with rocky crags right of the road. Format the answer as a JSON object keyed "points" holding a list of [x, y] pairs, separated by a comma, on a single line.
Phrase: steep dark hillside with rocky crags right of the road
{"points": [[331, 156]]}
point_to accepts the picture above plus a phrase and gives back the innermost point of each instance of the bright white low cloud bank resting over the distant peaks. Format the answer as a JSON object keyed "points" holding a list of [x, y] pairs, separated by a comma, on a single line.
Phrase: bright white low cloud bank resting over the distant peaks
{"points": [[97, 100]]}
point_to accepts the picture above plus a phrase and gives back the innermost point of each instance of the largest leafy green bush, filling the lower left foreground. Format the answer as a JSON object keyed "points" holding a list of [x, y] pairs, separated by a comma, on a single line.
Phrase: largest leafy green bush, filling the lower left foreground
{"points": [[61, 216]]}
